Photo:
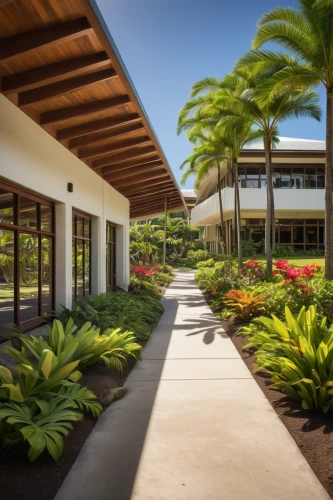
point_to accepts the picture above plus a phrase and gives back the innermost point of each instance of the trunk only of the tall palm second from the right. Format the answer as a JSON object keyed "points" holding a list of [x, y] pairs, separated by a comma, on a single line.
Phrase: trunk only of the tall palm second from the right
{"points": [[270, 216]]}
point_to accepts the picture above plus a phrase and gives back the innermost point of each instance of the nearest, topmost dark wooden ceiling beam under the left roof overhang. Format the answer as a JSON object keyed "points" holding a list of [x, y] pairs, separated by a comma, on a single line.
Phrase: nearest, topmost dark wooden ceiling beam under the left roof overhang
{"points": [[15, 46]]}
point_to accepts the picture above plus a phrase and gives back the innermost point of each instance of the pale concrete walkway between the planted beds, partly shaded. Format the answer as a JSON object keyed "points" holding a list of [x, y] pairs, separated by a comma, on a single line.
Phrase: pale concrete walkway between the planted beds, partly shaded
{"points": [[194, 425]]}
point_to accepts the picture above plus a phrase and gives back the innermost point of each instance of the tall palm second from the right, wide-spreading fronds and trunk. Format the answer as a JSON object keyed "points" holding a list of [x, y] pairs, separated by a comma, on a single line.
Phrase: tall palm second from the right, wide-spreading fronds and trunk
{"points": [[239, 95]]}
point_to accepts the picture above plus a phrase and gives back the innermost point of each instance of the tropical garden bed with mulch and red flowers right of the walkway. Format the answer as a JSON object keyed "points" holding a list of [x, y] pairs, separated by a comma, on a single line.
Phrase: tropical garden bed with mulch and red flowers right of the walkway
{"points": [[301, 394]]}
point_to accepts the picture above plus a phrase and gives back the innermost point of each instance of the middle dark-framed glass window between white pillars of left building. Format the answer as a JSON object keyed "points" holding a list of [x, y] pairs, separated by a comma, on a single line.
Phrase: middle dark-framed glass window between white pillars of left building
{"points": [[81, 255]]}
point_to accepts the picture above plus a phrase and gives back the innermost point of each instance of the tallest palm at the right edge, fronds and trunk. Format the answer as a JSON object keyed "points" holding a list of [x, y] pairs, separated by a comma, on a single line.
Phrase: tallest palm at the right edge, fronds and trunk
{"points": [[307, 34]]}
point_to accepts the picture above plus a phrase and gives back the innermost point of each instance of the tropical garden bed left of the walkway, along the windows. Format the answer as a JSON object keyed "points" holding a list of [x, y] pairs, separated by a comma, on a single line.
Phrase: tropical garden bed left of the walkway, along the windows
{"points": [[38, 475]]}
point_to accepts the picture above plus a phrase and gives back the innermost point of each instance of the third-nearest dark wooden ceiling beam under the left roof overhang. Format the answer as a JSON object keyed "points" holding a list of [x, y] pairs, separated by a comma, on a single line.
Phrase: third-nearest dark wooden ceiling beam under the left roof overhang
{"points": [[64, 87]]}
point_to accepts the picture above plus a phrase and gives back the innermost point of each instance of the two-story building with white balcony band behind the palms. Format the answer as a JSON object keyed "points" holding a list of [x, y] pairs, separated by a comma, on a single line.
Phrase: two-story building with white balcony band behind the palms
{"points": [[298, 181]]}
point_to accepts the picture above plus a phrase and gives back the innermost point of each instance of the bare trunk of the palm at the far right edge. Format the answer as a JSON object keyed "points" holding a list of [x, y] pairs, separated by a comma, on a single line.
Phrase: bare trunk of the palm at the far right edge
{"points": [[328, 188]]}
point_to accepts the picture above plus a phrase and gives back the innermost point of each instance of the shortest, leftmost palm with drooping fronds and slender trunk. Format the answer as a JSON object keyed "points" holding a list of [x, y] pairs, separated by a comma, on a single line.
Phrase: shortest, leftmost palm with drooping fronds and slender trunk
{"points": [[208, 153]]}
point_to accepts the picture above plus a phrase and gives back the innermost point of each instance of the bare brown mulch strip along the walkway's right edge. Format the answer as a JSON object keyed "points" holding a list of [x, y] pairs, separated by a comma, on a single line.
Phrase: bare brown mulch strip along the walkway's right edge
{"points": [[312, 432]]}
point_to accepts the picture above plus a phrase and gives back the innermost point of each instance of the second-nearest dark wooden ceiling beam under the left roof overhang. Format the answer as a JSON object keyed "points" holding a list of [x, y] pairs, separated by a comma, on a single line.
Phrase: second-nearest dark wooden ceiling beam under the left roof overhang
{"points": [[52, 73]]}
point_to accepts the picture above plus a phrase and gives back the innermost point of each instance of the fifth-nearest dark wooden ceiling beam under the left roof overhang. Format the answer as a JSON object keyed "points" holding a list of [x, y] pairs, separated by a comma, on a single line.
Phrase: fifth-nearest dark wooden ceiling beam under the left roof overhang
{"points": [[94, 126]]}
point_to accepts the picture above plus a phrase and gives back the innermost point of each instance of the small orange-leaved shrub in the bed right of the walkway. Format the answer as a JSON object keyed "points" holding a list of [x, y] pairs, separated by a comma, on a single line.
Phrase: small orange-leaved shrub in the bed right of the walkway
{"points": [[245, 304]]}
